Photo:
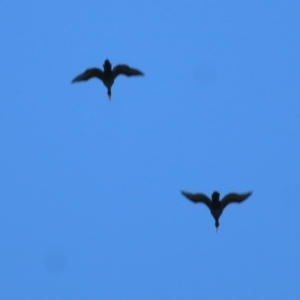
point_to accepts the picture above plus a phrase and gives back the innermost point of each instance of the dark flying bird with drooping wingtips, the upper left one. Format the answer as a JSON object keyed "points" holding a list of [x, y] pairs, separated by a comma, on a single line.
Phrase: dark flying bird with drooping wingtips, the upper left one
{"points": [[107, 76]]}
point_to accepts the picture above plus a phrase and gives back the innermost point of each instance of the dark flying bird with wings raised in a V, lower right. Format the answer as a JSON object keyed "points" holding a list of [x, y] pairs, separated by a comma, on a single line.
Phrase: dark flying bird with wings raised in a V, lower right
{"points": [[214, 204]]}
